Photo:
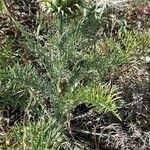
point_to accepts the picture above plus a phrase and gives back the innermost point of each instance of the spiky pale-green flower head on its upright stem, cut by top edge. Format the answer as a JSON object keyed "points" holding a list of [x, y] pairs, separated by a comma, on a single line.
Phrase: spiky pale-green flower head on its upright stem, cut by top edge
{"points": [[62, 8]]}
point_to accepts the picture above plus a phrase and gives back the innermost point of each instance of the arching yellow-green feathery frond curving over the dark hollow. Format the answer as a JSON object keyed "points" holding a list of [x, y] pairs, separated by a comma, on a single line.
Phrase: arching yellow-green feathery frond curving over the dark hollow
{"points": [[102, 97]]}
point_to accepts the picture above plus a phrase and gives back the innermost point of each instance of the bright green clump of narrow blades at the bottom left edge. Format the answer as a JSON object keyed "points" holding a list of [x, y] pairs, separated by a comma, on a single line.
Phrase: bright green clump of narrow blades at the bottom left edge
{"points": [[44, 134]]}
